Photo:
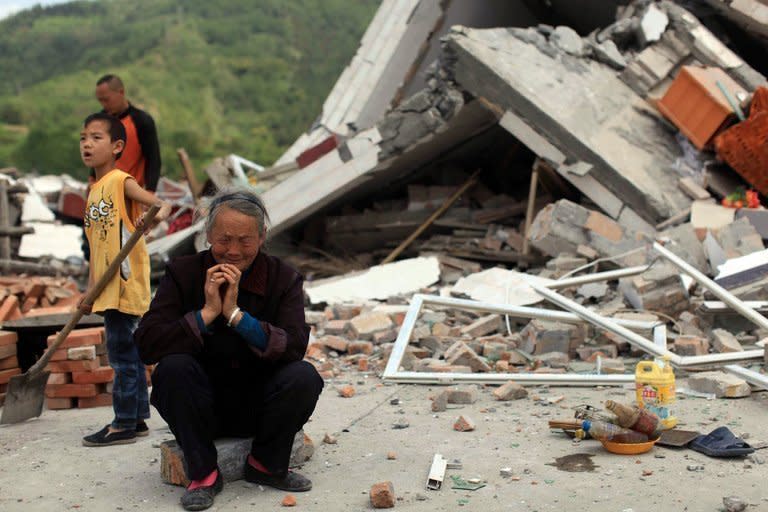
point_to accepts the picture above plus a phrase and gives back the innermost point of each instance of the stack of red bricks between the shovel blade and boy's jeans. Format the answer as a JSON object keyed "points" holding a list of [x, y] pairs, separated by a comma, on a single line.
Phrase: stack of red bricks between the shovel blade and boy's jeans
{"points": [[80, 374]]}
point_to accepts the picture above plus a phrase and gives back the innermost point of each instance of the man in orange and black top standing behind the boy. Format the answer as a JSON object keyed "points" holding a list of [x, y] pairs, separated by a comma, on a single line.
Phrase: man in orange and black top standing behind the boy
{"points": [[141, 156]]}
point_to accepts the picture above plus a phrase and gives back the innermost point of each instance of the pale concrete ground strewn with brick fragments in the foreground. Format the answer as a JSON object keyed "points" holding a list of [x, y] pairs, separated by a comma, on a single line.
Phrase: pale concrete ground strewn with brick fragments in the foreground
{"points": [[46, 468]]}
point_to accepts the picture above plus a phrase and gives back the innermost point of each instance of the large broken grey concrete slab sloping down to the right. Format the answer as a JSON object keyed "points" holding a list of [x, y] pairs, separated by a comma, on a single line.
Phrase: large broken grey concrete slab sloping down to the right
{"points": [[579, 105]]}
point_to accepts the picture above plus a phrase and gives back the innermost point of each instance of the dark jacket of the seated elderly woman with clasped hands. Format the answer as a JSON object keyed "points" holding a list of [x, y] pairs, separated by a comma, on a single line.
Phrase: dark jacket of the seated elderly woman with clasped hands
{"points": [[270, 291]]}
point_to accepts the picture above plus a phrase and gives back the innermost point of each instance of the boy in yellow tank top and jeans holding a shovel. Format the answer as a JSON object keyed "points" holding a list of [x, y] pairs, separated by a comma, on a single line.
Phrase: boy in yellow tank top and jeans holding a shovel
{"points": [[112, 214]]}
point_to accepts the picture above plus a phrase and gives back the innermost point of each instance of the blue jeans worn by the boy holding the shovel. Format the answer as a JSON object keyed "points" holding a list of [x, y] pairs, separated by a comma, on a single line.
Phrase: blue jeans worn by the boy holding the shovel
{"points": [[130, 399]]}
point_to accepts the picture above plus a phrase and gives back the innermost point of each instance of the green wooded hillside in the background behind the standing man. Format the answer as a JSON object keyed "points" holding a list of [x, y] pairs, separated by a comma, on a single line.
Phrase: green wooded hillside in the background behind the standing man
{"points": [[219, 77]]}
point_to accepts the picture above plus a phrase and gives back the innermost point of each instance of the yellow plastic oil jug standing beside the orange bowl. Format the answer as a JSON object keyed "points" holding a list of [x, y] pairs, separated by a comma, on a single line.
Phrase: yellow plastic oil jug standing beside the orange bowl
{"points": [[655, 390]]}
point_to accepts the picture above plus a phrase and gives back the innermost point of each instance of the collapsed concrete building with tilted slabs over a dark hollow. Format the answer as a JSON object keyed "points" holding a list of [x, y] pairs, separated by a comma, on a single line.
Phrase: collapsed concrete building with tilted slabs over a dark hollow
{"points": [[427, 94]]}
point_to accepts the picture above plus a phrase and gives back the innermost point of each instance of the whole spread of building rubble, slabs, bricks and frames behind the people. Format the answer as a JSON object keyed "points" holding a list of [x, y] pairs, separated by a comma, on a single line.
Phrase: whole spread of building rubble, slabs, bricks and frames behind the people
{"points": [[577, 156]]}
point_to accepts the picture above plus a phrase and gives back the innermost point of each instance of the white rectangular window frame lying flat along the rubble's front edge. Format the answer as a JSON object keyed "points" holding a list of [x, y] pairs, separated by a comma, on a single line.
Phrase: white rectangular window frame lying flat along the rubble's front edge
{"points": [[393, 374]]}
